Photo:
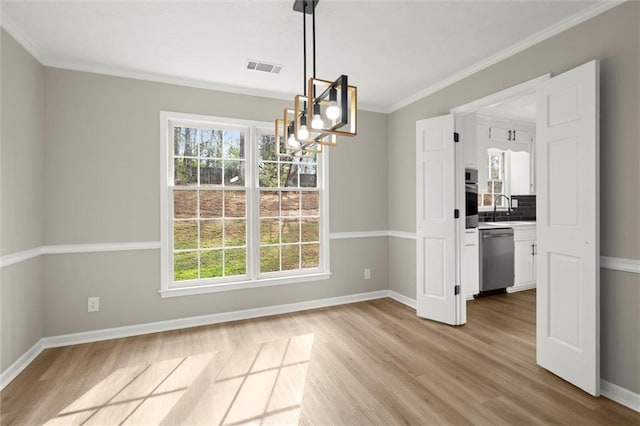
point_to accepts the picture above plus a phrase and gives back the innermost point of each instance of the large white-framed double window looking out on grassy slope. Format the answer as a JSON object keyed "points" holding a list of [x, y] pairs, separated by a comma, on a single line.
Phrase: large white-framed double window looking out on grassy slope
{"points": [[234, 214]]}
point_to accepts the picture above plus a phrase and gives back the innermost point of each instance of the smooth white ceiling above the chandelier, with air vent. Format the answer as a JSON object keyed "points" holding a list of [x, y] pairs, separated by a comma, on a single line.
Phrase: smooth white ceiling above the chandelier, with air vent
{"points": [[394, 51]]}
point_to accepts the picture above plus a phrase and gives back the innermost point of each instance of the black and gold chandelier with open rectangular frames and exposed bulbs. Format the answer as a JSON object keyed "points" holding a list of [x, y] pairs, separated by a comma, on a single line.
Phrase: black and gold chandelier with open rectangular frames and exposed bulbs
{"points": [[325, 110]]}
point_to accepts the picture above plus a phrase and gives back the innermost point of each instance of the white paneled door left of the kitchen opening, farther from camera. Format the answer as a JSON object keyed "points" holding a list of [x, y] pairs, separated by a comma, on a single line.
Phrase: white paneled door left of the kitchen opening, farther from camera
{"points": [[437, 237]]}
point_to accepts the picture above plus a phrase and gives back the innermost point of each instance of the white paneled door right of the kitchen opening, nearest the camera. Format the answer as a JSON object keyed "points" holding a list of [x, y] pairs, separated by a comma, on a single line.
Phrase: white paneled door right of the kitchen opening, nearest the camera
{"points": [[568, 338]]}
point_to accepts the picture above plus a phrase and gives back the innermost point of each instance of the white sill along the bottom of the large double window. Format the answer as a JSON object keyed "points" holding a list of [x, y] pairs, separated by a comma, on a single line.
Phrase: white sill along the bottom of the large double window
{"points": [[264, 282]]}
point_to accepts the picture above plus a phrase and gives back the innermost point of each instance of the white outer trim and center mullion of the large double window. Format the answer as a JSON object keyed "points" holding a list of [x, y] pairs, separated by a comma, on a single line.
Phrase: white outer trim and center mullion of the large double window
{"points": [[252, 279]]}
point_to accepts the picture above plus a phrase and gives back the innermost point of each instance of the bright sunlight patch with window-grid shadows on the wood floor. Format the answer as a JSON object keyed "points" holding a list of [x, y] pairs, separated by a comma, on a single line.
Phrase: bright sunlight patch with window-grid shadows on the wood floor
{"points": [[254, 384]]}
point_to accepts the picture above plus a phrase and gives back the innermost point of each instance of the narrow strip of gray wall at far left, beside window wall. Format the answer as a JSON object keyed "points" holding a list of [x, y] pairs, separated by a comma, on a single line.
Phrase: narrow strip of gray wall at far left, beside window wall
{"points": [[21, 198]]}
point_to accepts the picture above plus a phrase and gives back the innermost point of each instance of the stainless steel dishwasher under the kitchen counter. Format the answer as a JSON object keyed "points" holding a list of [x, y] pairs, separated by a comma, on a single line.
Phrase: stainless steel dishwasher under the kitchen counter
{"points": [[496, 259]]}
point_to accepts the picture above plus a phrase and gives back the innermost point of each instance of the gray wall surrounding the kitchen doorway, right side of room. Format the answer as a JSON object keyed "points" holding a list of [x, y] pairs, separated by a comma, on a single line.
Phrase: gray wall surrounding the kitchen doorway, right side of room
{"points": [[614, 39]]}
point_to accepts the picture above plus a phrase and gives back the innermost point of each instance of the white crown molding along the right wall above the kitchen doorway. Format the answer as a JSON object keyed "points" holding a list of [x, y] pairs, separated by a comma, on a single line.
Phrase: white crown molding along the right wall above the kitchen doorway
{"points": [[534, 39]]}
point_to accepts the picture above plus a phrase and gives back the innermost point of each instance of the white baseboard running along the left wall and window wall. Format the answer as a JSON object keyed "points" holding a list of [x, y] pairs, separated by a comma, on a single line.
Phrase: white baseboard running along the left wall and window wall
{"points": [[155, 327]]}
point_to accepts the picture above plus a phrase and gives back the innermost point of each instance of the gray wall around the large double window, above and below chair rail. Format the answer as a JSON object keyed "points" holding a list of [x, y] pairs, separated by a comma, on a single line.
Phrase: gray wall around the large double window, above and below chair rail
{"points": [[102, 185]]}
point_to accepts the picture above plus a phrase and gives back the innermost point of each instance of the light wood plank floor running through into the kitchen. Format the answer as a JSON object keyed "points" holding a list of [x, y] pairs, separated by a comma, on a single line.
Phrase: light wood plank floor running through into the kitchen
{"points": [[365, 363]]}
